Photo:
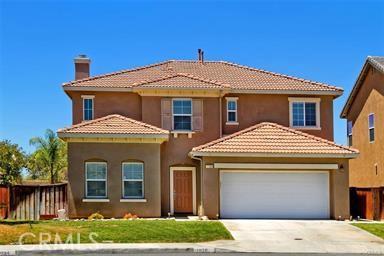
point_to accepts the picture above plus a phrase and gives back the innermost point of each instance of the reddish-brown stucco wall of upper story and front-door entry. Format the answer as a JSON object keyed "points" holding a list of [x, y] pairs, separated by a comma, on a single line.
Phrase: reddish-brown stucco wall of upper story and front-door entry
{"points": [[252, 109]]}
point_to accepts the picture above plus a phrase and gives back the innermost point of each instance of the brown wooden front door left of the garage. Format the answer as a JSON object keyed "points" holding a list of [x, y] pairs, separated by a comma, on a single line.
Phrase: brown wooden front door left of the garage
{"points": [[182, 191]]}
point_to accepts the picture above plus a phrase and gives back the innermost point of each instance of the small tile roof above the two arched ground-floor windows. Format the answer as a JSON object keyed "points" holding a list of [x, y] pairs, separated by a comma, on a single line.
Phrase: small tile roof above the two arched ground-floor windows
{"points": [[112, 125]]}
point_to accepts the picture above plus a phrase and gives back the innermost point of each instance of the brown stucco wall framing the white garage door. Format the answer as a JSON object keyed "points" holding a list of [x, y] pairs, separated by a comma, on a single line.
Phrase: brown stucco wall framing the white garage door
{"points": [[339, 188]]}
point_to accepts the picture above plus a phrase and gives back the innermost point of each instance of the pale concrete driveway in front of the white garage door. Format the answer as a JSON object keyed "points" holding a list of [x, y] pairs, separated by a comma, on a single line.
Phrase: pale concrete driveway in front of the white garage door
{"points": [[299, 236]]}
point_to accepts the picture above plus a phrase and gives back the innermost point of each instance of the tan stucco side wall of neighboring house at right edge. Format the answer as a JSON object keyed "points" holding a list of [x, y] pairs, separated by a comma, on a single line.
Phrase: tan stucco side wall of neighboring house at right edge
{"points": [[369, 99]]}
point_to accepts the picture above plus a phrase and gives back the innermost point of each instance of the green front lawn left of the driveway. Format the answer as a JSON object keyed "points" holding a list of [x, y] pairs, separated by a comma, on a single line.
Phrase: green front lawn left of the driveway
{"points": [[117, 231]]}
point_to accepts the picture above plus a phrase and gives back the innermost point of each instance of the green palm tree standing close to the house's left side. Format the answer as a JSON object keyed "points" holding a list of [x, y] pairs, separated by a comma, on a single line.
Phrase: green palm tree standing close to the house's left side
{"points": [[50, 157]]}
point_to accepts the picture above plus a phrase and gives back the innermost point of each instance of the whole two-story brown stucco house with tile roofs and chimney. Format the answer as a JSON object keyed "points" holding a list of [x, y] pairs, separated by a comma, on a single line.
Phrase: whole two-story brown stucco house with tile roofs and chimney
{"points": [[204, 137]]}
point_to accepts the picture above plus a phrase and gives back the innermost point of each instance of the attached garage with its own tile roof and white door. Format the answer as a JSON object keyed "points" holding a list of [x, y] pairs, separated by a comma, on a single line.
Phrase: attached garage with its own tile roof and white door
{"points": [[271, 171]]}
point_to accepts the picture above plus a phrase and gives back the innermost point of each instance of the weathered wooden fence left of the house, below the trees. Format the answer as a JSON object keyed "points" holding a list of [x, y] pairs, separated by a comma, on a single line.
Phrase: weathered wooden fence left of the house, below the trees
{"points": [[34, 202]]}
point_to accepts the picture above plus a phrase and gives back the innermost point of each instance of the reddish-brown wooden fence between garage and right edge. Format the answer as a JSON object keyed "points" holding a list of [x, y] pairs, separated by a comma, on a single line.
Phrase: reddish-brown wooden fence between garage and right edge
{"points": [[367, 203]]}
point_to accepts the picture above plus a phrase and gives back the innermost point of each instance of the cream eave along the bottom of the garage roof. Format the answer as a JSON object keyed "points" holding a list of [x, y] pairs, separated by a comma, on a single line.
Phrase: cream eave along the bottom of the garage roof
{"points": [[261, 155]]}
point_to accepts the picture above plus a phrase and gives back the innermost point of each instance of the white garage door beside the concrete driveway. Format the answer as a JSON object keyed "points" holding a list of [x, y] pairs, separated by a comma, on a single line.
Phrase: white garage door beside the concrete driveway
{"points": [[280, 194]]}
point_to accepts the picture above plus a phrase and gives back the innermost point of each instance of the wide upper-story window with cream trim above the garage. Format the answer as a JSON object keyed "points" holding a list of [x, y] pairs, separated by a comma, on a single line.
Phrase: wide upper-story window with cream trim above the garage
{"points": [[304, 113]]}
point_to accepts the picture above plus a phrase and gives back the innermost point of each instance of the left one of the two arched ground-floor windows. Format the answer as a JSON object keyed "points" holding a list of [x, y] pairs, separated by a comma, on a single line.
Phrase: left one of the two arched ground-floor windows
{"points": [[96, 179]]}
